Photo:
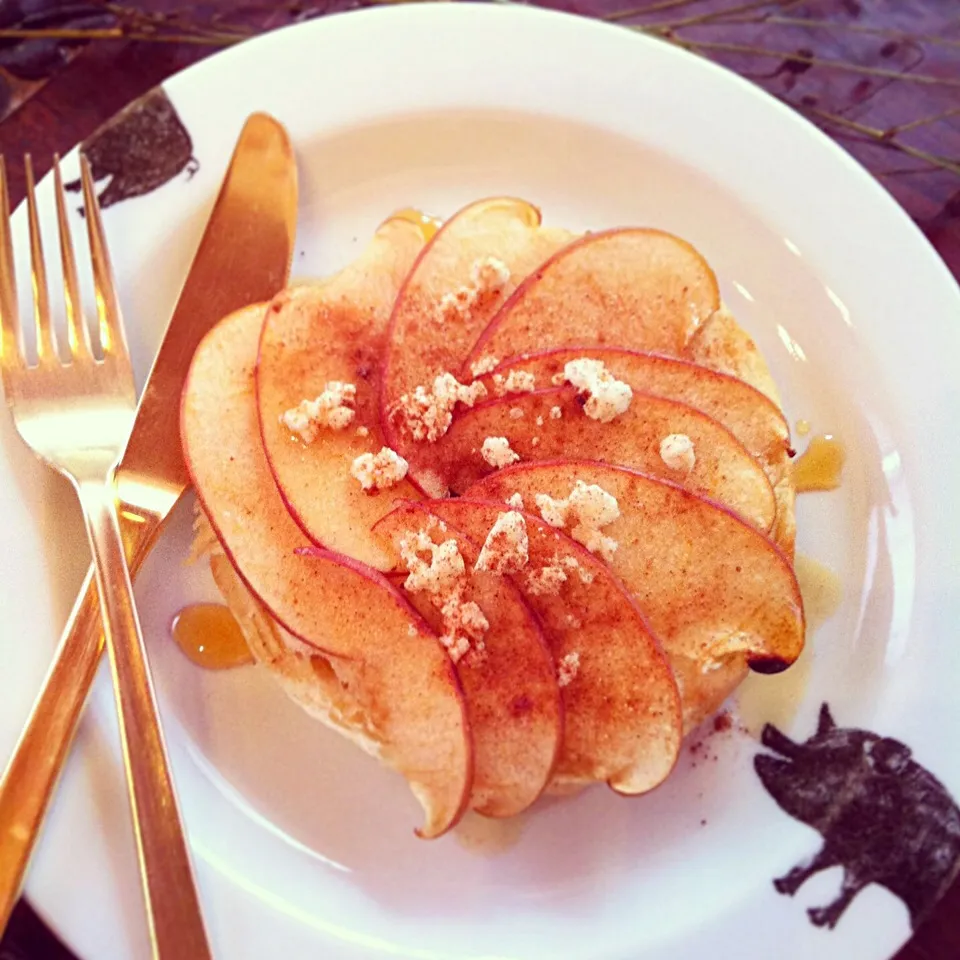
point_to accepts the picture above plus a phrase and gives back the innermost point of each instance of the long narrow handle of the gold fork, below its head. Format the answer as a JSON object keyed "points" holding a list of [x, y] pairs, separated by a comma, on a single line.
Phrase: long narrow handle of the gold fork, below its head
{"points": [[173, 907]]}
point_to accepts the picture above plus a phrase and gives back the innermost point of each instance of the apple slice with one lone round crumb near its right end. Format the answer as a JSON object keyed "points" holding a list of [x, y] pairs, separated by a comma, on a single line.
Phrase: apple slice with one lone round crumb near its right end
{"points": [[723, 468]]}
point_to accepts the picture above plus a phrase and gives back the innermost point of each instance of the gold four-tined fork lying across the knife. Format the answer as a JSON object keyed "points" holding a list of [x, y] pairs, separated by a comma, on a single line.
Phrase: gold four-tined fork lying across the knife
{"points": [[76, 416]]}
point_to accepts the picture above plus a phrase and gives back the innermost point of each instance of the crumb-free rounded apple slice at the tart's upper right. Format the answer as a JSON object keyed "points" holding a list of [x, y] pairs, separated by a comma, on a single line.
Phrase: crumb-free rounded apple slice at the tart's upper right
{"points": [[636, 288]]}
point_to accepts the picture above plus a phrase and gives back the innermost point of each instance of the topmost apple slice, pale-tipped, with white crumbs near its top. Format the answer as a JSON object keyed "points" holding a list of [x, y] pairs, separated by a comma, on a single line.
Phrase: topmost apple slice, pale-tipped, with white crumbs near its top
{"points": [[426, 339]]}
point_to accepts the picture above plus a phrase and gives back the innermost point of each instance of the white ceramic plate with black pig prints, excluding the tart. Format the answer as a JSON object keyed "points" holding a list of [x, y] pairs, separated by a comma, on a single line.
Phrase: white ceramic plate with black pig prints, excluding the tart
{"points": [[303, 847]]}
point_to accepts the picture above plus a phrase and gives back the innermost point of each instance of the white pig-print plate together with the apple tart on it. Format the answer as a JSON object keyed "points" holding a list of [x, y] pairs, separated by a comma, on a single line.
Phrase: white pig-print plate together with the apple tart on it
{"points": [[567, 571]]}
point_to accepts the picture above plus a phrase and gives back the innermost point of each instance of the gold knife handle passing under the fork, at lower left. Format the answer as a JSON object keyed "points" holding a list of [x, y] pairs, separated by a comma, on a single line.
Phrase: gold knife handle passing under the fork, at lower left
{"points": [[32, 773]]}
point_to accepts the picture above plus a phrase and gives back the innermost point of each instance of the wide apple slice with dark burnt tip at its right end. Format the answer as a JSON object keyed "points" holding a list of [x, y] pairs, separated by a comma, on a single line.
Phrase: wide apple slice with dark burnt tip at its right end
{"points": [[715, 590]]}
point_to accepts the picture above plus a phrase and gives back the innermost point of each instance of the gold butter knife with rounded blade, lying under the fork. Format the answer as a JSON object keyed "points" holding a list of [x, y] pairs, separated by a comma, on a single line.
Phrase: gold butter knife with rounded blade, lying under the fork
{"points": [[244, 257]]}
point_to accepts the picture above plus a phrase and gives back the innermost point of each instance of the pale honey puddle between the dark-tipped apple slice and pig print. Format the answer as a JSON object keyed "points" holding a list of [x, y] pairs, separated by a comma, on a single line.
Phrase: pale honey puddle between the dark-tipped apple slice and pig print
{"points": [[776, 698]]}
